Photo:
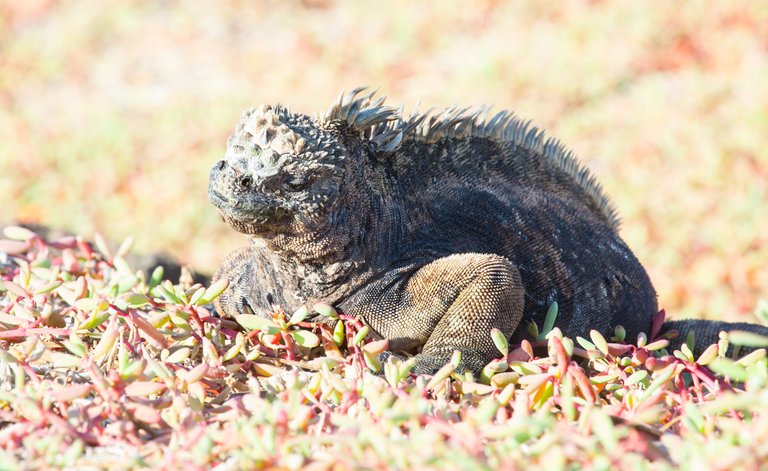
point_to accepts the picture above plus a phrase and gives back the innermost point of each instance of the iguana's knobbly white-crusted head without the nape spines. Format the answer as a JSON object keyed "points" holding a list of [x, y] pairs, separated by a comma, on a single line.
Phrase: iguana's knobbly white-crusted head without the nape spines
{"points": [[279, 169]]}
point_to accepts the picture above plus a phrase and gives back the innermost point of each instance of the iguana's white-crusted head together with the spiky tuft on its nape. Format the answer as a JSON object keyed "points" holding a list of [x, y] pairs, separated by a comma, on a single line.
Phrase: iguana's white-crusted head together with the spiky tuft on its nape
{"points": [[284, 170]]}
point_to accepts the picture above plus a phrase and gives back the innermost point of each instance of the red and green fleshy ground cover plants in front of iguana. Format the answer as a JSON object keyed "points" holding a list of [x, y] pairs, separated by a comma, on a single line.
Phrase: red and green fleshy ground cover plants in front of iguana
{"points": [[104, 366]]}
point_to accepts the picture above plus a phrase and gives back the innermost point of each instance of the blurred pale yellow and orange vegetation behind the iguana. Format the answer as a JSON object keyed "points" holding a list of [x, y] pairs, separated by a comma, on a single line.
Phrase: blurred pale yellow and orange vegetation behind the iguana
{"points": [[112, 112]]}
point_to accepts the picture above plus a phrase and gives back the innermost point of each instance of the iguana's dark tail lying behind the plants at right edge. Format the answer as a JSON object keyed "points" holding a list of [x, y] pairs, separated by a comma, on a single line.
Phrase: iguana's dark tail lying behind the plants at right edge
{"points": [[707, 332]]}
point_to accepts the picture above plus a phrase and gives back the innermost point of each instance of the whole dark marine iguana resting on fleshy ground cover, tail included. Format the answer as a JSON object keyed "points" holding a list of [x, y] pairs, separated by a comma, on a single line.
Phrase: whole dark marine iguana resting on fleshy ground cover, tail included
{"points": [[431, 229]]}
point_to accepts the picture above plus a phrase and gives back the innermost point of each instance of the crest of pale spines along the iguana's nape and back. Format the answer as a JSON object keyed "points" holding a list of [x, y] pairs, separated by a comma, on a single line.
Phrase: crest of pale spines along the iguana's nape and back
{"points": [[385, 126]]}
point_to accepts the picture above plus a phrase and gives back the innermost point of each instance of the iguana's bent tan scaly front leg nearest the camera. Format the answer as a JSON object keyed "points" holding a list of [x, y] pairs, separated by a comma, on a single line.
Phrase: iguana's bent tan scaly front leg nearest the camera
{"points": [[449, 304]]}
